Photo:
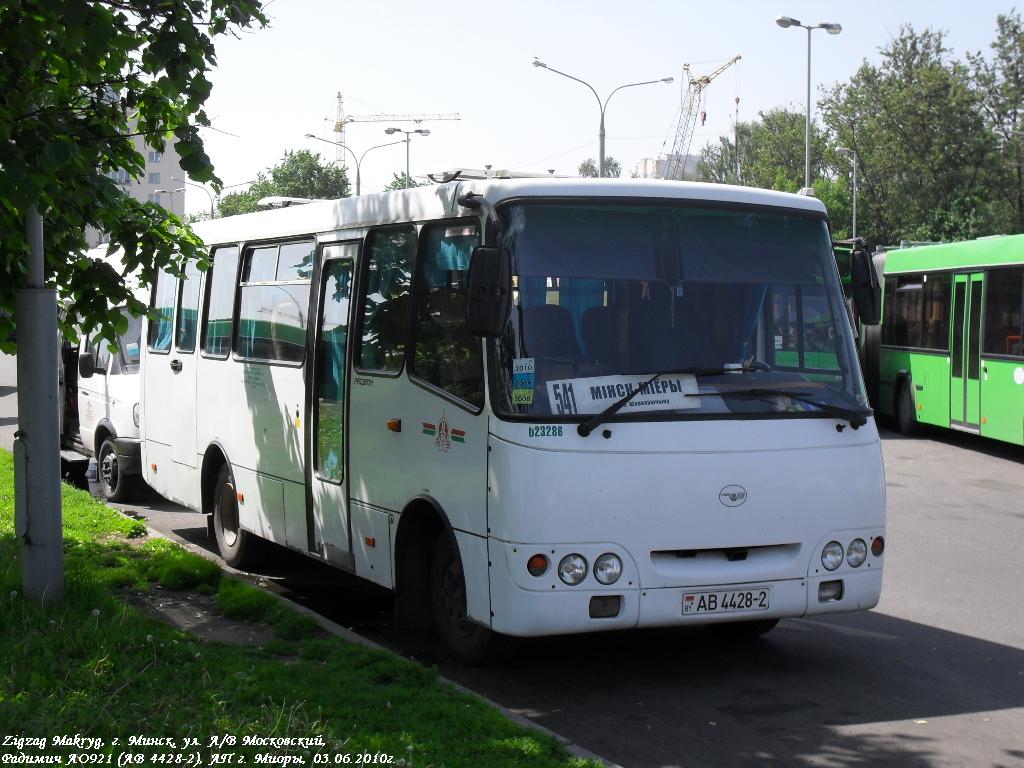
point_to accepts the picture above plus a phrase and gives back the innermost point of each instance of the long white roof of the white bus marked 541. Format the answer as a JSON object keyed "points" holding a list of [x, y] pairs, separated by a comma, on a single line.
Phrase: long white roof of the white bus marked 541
{"points": [[440, 201]]}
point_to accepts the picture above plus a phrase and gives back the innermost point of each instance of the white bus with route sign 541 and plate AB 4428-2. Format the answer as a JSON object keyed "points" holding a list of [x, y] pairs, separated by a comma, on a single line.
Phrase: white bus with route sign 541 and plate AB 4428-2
{"points": [[530, 407]]}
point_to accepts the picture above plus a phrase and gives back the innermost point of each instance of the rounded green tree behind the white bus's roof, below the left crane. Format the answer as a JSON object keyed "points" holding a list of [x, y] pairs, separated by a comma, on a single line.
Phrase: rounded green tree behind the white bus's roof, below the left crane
{"points": [[300, 175]]}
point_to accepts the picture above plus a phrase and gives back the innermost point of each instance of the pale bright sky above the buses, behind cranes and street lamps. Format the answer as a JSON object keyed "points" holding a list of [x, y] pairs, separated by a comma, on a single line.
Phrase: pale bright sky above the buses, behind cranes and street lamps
{"points": [[275, 86]]}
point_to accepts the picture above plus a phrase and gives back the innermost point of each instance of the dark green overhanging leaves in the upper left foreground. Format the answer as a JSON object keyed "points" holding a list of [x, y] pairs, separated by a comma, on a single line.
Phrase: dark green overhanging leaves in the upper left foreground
{"points": [[79, 79]]}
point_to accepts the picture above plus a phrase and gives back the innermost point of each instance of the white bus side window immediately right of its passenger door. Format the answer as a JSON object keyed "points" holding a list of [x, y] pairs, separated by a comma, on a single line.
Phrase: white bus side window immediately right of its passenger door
{"points": [[386, 310]]}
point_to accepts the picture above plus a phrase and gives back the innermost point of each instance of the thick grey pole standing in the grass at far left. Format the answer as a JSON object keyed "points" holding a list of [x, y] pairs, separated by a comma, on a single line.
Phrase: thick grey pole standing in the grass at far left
{"points": [[37, 443]]}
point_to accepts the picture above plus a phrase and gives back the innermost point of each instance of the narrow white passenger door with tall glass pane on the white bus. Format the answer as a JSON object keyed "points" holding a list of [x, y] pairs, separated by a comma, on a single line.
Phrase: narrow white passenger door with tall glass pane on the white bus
{"points": [[328, 521]]}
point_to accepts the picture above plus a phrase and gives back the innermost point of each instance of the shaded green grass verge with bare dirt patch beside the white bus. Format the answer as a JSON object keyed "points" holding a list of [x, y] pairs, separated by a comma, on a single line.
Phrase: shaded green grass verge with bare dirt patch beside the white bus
{"points": [[93, 665]]}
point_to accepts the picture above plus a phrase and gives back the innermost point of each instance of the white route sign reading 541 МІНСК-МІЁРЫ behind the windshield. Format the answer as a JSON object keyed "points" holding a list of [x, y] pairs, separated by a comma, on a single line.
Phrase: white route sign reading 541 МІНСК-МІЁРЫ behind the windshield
{"points": [[592, 396]]}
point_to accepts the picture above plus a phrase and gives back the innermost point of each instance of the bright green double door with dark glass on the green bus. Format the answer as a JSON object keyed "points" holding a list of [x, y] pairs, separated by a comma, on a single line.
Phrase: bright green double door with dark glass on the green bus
{"points": [[966, 352]]}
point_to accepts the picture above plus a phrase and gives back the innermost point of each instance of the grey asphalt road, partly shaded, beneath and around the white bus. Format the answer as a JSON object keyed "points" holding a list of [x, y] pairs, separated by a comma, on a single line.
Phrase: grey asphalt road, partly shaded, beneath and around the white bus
{"points": [[933, 677]]}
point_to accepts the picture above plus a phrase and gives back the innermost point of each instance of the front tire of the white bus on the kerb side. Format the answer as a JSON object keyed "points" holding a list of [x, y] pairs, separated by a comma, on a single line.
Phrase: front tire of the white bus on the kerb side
{"points": [[466, 642]]}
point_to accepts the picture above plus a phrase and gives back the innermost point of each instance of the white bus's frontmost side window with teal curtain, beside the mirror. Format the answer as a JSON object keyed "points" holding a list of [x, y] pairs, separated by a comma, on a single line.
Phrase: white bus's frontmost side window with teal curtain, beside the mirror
{"points": [[446, 354]]}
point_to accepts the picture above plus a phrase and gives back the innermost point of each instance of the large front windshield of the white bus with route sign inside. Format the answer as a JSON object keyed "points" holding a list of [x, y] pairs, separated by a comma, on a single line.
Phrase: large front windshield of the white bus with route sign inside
{"points": [[740, 310]]}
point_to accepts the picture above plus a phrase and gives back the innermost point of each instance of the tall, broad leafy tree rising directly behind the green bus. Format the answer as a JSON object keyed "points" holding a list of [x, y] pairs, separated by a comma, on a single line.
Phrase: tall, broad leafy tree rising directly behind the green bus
{"points": [[925, 154]]}
